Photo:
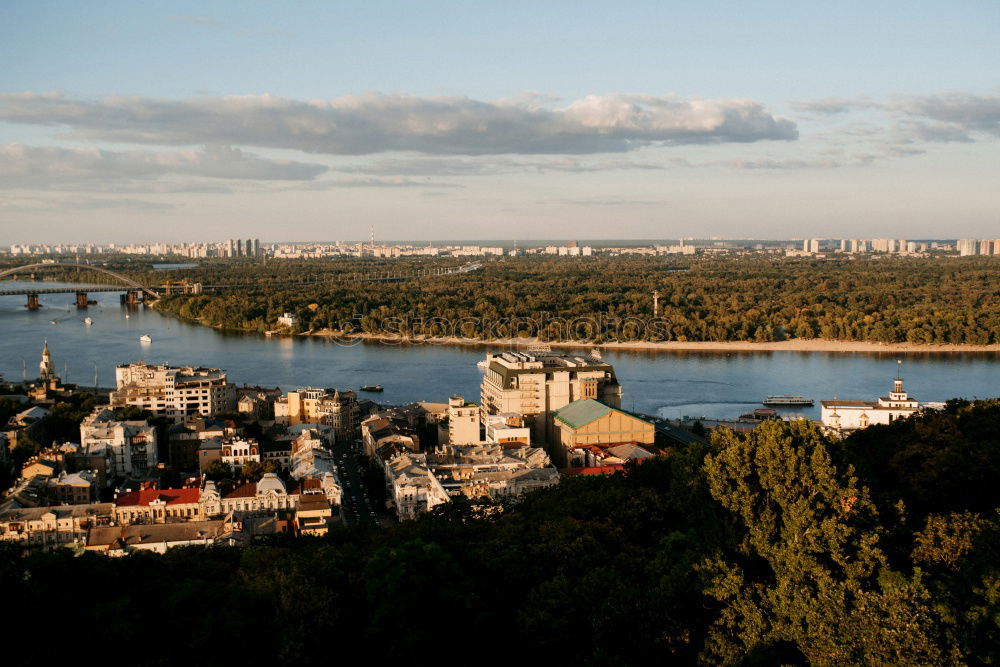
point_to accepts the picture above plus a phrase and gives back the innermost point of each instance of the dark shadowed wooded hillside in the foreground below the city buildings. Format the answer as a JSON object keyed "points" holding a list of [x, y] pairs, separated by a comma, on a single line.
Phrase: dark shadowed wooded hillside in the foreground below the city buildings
{"points": [[780, 546]]}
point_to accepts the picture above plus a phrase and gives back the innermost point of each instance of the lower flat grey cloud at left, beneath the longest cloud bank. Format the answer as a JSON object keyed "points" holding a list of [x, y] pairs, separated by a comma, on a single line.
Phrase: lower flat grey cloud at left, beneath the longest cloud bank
{"points": [[71, 168]]}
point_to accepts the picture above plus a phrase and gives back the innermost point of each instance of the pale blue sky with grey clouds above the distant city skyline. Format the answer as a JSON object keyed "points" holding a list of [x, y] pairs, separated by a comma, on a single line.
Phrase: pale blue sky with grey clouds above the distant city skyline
{"points": [[182, 121]]}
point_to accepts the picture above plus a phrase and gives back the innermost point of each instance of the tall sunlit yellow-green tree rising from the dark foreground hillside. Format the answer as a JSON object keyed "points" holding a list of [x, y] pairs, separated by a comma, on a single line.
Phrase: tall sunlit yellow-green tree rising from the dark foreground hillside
{"points": [[808, 581]]}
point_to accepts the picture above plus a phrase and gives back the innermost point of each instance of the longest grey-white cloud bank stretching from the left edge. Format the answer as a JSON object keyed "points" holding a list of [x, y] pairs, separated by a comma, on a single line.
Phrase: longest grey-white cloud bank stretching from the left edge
{"points": [[375, 123]]}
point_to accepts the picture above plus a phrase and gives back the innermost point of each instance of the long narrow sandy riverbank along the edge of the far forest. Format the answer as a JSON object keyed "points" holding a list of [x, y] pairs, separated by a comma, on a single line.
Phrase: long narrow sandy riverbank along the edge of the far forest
{"points": [[793, 345]]}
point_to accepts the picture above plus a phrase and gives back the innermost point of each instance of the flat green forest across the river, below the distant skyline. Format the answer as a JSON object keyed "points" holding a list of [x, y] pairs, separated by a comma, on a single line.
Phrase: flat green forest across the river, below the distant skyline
{"points": [[602, 299]]}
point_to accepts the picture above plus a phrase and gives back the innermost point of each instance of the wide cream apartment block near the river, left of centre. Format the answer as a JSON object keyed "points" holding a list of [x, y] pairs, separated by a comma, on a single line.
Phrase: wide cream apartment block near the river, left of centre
{"points": [[175, 392]]}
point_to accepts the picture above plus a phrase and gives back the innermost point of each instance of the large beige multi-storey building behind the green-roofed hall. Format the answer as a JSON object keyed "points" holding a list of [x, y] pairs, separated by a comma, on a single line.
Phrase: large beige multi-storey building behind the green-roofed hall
{"points": [[536, 385]]}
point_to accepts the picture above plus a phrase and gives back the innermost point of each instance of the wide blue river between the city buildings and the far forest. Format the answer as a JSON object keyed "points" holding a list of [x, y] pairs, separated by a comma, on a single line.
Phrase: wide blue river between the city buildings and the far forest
{"points": [[671, 384]]}
